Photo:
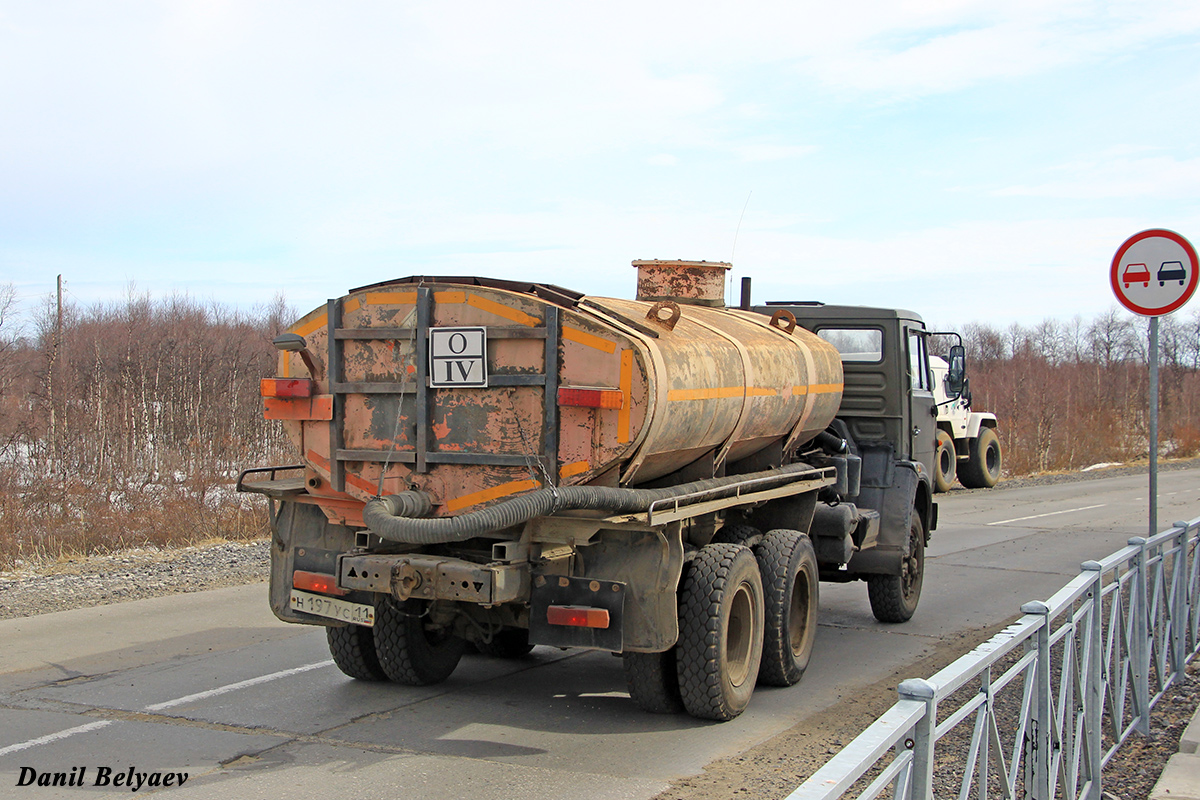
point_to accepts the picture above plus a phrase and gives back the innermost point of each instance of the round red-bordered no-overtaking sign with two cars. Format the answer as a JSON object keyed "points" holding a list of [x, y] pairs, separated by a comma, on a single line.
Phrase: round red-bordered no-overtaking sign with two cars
{"points": [[1155, 273]]}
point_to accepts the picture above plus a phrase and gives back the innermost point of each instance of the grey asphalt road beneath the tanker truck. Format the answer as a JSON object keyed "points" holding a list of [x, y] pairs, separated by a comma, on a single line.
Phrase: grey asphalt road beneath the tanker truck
{"points": [[211, 685]]}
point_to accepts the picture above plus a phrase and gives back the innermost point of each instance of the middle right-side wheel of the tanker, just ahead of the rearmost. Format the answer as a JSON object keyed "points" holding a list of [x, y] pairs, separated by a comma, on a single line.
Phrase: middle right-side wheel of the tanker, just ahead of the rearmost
{"points": [[789, 568]]}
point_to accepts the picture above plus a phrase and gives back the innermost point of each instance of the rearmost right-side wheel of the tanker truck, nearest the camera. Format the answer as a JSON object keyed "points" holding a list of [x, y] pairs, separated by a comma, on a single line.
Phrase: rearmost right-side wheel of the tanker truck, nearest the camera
{"points": [[721, 631]]}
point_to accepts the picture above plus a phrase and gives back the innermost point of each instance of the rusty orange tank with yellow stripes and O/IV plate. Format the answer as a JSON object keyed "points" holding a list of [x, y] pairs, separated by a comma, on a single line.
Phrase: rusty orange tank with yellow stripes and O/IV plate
{"points": [[473, 392]]}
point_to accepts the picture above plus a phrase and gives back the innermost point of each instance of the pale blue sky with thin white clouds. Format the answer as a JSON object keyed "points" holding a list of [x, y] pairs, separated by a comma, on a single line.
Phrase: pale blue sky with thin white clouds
{"points": [[970, 161]]}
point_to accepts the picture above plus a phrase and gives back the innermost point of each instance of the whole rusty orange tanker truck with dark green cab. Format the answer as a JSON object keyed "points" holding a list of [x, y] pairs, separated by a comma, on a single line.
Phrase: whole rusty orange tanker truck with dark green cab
{"points": [[500, 465]]}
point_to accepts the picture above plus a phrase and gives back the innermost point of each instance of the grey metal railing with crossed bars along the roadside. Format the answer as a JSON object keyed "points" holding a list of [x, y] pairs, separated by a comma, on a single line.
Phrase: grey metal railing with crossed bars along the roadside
{"points": [[1040, 709]]}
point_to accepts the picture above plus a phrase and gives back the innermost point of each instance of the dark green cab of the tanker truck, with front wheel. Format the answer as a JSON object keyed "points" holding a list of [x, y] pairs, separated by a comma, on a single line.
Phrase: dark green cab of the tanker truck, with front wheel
{"points": [[887, 420]]}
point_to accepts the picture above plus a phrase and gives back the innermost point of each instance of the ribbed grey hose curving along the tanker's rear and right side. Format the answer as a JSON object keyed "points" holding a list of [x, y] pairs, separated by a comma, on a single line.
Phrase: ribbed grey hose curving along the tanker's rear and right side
{"points": [[395, 518]]}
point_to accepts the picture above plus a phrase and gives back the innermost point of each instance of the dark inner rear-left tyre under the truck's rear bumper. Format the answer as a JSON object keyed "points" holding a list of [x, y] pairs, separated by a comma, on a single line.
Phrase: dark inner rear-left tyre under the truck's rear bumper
{"points": [[409, 652]]}
